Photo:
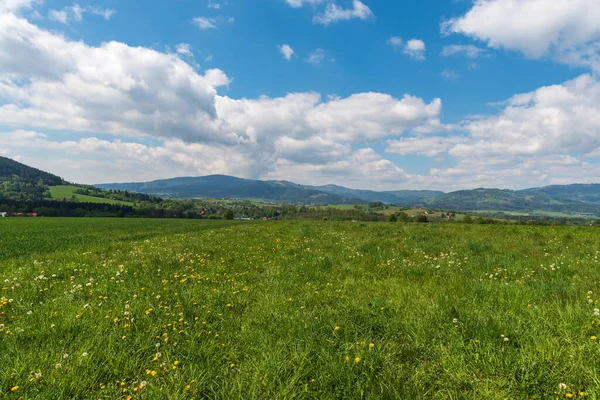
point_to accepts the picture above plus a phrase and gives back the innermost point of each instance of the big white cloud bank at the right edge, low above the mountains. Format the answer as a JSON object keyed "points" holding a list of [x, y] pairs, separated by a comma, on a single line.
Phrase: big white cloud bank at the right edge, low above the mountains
{"points": [[547, 136]]}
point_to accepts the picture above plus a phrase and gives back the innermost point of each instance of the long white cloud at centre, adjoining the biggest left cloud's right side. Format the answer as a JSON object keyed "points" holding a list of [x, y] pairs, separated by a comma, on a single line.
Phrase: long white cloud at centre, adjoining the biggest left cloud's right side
{"points": [[361, 117]]}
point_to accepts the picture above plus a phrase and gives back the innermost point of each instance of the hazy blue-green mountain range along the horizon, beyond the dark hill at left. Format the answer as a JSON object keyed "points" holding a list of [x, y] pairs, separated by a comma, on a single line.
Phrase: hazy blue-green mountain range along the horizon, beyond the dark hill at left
{"points": [[568, 200]]}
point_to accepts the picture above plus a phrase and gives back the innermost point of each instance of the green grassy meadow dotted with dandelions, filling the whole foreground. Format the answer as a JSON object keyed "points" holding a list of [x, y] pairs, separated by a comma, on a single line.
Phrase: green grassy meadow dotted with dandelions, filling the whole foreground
{"points": [[176, 309]]}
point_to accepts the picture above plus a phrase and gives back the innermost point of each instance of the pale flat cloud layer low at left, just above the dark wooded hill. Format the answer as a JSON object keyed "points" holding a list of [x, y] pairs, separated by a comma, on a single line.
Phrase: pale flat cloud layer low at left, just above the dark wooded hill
{"points": [[92, 160]]}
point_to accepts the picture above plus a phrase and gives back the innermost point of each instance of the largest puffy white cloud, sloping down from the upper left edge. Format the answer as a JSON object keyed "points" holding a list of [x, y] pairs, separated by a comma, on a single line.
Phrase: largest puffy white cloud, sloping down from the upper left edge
{"points": [[51, 82]]}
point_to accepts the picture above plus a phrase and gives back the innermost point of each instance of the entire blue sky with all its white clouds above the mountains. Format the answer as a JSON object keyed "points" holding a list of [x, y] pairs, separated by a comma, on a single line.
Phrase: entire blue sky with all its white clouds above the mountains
{"points": [[369, 94]]}
